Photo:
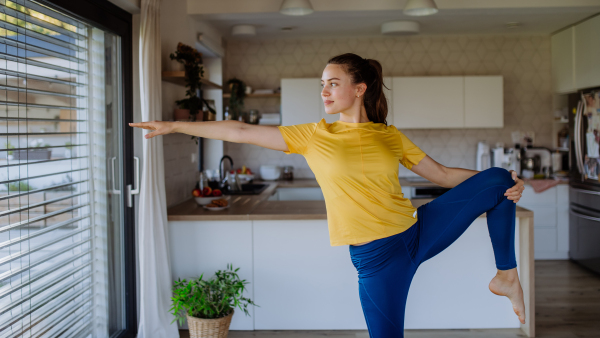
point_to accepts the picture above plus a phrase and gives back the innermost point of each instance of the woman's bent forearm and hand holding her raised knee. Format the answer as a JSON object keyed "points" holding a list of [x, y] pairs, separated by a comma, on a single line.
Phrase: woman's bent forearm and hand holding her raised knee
{"points": [[451, 177]]}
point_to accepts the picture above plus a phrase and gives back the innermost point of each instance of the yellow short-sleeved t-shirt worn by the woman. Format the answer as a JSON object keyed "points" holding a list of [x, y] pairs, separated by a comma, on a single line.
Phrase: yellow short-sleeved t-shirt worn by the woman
{"points": [[356, 166]]}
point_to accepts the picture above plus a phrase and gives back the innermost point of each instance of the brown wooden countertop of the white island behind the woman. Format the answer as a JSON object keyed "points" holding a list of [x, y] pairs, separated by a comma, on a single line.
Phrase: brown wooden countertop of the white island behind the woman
{"points": [[256, 207]]}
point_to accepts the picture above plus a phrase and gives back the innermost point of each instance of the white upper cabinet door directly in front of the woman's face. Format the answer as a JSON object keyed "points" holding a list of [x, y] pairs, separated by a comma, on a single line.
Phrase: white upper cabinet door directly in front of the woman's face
{"points": [[300, 99]]}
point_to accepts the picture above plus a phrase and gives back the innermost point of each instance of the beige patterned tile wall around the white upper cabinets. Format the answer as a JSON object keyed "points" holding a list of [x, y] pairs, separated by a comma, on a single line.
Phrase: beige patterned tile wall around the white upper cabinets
{"points": [[524, 62]]}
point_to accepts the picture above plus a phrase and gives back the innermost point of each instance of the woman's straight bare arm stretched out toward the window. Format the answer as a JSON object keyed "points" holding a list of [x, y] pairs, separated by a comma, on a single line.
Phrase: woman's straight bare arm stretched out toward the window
{"points": [[233, 131]]}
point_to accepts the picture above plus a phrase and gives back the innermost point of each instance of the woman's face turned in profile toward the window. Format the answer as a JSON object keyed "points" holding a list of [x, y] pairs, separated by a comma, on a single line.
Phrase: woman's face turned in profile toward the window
{"points": [[338, 92]]}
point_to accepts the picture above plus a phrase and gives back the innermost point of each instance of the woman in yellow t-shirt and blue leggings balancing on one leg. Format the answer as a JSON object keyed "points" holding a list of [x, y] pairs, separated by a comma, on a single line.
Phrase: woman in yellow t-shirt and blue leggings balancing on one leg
{"points": [[355, 161]]}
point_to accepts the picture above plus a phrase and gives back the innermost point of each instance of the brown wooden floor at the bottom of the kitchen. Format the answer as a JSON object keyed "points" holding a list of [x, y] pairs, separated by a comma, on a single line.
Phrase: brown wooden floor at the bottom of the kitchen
{"points": [[567, 306]]}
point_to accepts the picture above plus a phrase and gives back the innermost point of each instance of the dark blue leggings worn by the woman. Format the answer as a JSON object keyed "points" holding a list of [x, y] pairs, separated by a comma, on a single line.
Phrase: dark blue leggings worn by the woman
{"points": [[386, 266]]}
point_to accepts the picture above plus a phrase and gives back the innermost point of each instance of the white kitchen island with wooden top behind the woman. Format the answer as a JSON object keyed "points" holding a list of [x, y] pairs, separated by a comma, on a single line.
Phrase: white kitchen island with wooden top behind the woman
{"points": [[284, 245]]}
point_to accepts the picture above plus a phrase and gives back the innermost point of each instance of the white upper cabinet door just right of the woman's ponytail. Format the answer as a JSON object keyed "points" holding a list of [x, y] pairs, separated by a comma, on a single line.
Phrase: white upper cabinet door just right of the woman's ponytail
{"points": [[428, 102]]}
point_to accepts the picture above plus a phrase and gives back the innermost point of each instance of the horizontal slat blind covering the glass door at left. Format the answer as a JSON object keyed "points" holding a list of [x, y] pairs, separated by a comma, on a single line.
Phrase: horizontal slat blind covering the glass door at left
{"points": [[46, 224]]}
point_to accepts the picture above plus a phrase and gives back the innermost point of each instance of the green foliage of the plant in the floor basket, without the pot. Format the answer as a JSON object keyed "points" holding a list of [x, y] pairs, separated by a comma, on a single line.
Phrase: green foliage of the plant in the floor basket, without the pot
{"points": [[213, 298]]}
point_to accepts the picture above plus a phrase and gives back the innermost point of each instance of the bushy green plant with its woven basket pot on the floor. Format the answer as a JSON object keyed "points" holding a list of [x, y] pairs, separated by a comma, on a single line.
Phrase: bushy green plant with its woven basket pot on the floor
{"points": [[208, 305]]}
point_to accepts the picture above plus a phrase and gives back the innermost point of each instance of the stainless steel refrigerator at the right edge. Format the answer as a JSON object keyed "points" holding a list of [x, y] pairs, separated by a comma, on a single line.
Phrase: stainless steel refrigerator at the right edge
{"points": [[584, 183]]}
